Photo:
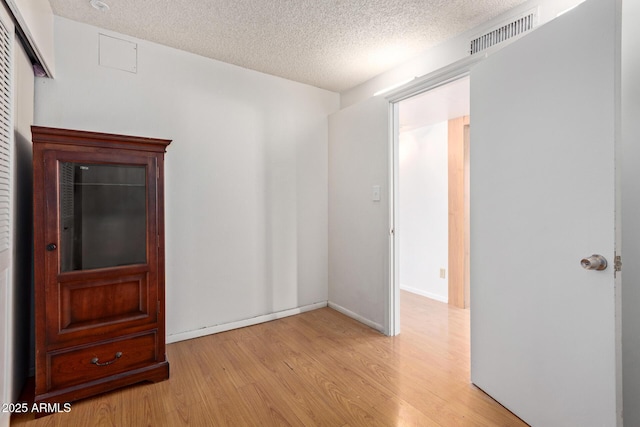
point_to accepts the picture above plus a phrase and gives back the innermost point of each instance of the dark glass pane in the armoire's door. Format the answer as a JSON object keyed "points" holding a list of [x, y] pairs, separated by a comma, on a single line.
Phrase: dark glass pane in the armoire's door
{"points": [[102, 215]]}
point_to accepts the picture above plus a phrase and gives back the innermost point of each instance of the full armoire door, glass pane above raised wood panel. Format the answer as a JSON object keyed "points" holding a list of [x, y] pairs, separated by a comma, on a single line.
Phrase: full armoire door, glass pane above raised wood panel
{"points": [[101, 215]]}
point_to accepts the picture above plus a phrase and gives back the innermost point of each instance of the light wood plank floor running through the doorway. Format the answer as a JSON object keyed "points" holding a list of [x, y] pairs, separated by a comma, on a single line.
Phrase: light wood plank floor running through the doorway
{"points": [[315, 369]]}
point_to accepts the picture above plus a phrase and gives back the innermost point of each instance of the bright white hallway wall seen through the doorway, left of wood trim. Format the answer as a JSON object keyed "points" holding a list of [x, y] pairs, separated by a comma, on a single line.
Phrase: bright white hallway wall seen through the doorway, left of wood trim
{"points": [[423, 227]]}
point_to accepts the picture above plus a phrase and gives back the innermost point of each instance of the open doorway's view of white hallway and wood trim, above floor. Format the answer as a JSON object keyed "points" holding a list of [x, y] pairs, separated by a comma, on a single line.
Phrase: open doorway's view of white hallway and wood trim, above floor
{"points": [[432, 193]]}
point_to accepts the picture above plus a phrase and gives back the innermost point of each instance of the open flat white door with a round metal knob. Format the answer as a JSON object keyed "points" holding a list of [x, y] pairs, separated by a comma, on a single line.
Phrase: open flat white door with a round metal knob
{"points": [[544, 339]]}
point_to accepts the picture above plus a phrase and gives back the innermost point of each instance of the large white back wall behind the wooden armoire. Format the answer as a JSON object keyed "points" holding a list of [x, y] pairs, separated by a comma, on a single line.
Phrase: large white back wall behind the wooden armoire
{"points": [[246, 173]]}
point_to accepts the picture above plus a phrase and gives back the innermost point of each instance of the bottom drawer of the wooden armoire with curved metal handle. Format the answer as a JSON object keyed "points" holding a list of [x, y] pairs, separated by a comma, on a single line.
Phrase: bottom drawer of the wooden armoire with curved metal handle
{"points": [[82, 364]]}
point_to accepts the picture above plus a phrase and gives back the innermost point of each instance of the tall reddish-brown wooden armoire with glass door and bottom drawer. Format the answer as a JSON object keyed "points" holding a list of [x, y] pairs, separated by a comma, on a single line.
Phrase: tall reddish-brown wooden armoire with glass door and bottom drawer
{"points": [[98, 262]]}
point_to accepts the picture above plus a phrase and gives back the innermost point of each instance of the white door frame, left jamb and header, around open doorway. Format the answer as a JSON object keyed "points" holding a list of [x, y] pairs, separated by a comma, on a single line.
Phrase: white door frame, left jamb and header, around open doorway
{"points": [[433, 80]]}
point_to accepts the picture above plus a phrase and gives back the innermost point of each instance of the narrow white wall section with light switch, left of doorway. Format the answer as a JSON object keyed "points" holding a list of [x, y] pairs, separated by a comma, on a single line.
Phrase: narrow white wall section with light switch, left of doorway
{"points": [[358, 225]]}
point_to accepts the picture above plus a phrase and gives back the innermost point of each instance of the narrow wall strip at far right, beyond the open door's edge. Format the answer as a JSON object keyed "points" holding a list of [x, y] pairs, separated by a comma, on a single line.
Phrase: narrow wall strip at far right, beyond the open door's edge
{"points": [[630, 211]]}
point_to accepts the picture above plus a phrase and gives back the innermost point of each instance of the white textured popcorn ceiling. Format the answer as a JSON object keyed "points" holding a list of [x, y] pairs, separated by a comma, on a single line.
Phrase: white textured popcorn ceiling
{"points": [[332, 44]]}
